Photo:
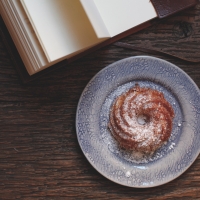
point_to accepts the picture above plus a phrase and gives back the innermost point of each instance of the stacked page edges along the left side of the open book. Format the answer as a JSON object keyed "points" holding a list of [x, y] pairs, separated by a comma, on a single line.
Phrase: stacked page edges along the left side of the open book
{"points": [[23, 35]]}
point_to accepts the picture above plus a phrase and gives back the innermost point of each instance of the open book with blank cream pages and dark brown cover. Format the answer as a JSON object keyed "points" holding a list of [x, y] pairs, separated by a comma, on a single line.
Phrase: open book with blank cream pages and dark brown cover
{"points": [[46, 32]]}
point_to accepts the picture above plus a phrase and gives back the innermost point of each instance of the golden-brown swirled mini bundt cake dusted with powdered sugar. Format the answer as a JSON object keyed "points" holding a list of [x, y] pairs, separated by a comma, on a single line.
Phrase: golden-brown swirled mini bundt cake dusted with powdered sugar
{"points": [[126, 127]]}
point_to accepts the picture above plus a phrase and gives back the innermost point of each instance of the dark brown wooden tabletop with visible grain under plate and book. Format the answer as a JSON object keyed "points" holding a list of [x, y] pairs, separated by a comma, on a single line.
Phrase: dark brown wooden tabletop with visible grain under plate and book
{"points": [[40, 157]]}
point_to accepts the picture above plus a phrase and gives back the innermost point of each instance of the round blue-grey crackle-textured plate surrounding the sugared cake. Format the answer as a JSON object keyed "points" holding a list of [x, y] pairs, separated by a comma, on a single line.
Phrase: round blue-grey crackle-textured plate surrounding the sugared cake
{"points": [[102, 151]]}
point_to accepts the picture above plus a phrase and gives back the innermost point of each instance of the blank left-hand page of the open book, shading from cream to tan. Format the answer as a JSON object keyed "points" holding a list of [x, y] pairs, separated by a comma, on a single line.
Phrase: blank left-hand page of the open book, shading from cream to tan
{"points": [[62, 26]]}
